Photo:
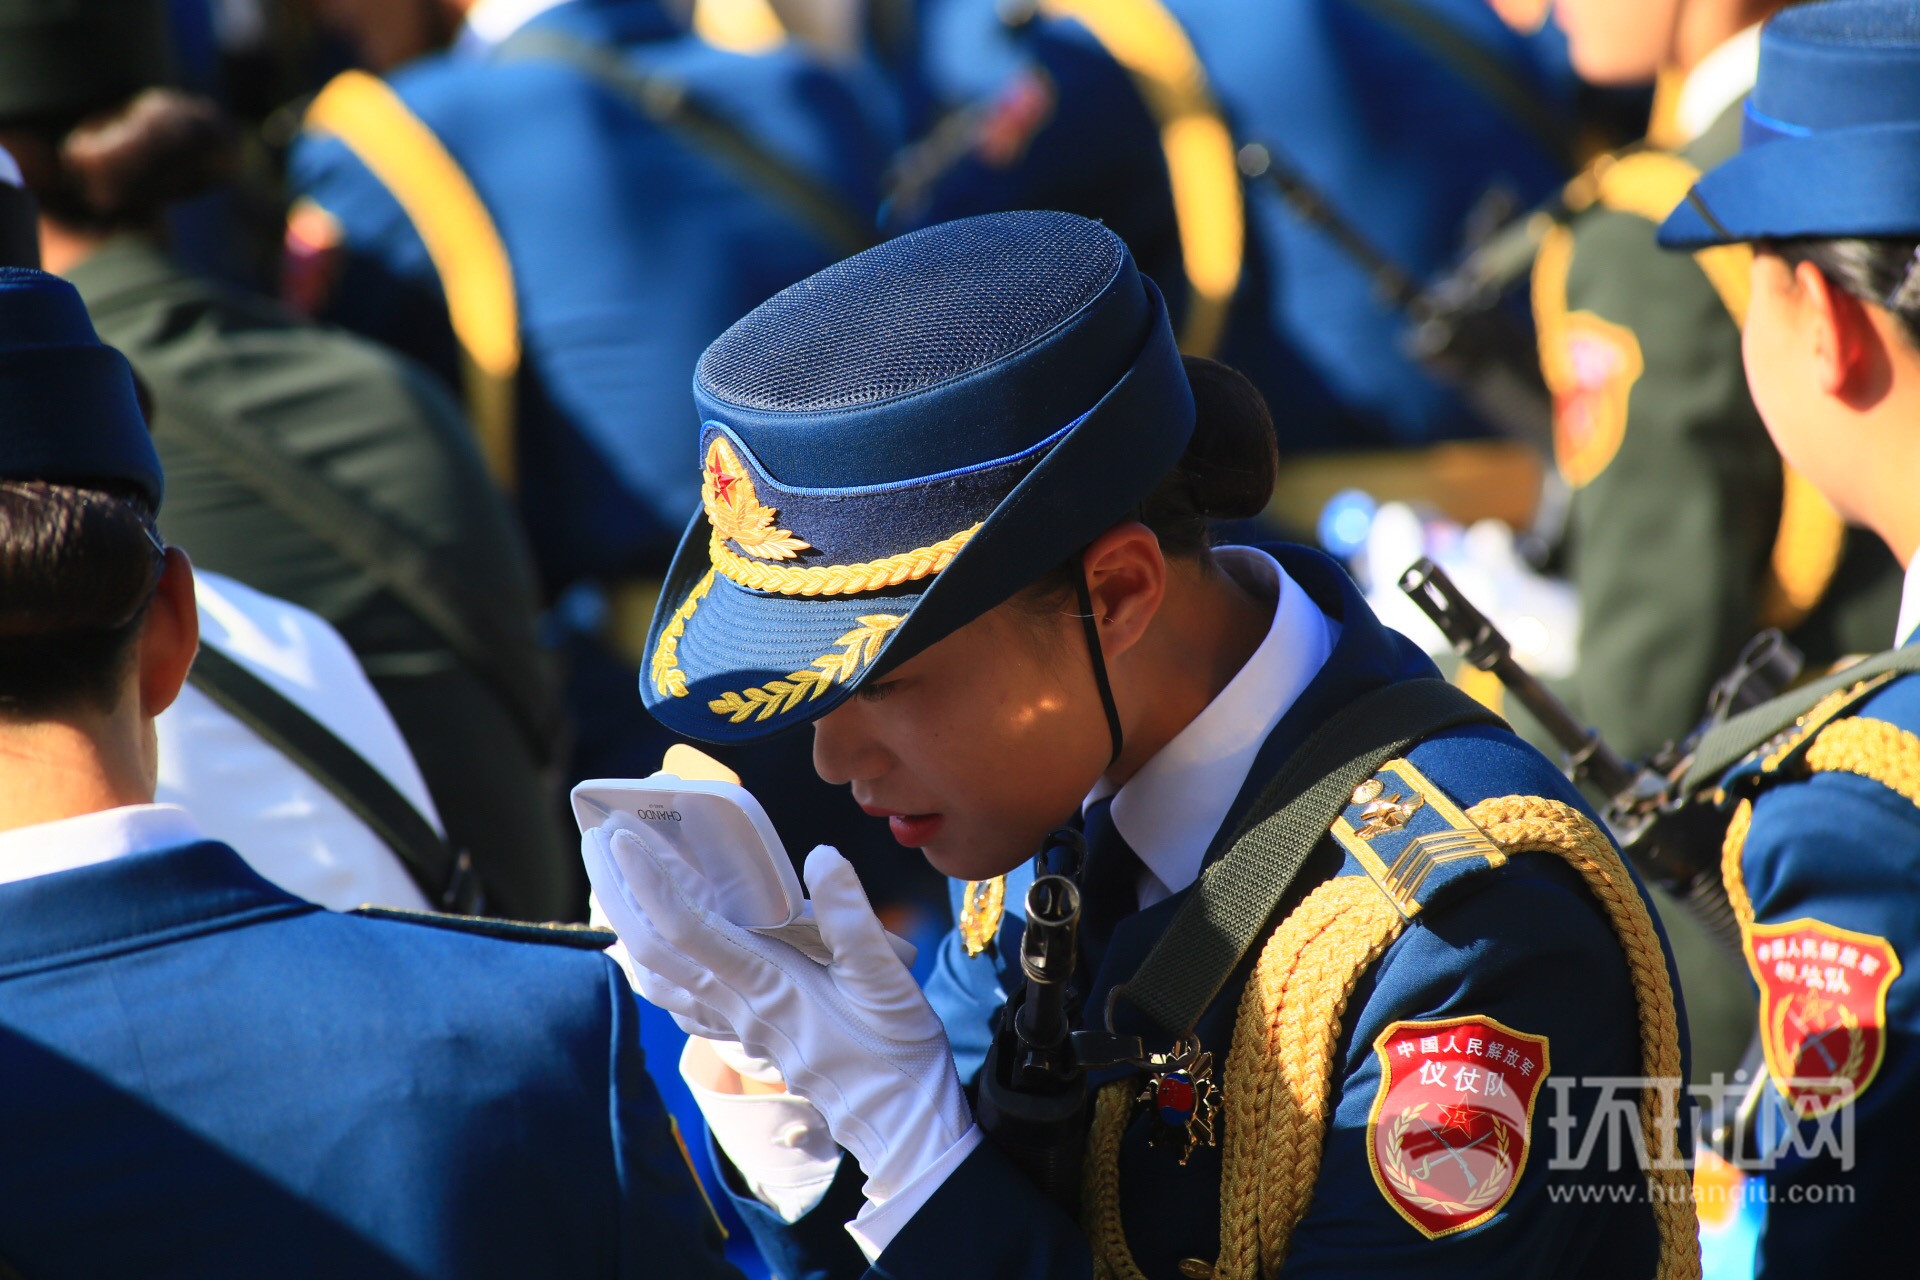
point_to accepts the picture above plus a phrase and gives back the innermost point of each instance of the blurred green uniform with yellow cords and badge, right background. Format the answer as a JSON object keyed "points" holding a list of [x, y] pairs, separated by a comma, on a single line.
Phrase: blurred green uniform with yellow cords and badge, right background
{"points": [[1687, 536]]}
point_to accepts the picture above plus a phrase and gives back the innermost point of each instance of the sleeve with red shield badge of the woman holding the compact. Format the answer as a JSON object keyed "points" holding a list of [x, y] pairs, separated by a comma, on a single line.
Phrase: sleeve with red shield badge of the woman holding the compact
{"points": [[1533, 955]]}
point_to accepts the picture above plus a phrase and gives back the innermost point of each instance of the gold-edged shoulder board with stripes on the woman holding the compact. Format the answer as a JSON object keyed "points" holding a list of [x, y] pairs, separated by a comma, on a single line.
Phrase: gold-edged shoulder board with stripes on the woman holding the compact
{"points": [[1412, 840]]}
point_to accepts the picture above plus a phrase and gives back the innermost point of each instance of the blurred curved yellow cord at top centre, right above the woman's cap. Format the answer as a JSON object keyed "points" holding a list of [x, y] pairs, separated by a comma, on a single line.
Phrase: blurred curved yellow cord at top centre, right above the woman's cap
{"points": [[1203, 166]]}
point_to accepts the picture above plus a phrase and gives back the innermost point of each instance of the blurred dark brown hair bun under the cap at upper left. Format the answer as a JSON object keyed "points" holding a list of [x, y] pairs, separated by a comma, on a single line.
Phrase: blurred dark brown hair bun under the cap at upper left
{"points": [[156, 149]]}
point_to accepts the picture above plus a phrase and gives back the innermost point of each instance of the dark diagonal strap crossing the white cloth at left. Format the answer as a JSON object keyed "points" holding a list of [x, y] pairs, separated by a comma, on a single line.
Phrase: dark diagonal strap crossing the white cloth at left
{"points": [[444, 878]]}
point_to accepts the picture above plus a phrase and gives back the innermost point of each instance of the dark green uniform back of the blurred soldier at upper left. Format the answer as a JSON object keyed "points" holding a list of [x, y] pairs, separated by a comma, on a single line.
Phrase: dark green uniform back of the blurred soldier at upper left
{"points": [[320, 469]]}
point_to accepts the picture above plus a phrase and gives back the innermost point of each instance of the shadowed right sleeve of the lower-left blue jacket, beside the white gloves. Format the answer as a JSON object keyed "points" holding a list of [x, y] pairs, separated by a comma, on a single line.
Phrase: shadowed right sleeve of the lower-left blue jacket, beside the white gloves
{"points": [[667, 1227]]}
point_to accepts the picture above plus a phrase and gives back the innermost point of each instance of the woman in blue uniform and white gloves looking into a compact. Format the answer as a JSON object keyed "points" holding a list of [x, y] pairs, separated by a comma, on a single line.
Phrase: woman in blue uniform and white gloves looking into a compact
{"points": [[955, 498]]}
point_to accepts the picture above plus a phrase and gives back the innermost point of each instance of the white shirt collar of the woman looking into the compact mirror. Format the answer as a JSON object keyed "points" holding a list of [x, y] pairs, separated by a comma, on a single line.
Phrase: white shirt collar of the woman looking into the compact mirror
{"points": [[1170, 811]]}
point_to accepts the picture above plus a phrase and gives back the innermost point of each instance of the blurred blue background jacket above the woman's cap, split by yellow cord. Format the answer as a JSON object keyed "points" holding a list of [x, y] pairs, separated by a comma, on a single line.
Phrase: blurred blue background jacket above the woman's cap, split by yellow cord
{"points": [[1403, 124]]}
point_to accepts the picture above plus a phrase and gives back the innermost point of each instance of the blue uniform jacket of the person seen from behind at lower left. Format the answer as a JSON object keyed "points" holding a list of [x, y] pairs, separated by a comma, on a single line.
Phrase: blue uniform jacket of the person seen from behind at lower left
{"points": [[208, 1078]]}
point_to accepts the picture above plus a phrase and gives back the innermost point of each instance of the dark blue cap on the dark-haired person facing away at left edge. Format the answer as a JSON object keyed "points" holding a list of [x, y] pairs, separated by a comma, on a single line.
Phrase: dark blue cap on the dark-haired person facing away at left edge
{"points": [[72, 414]]}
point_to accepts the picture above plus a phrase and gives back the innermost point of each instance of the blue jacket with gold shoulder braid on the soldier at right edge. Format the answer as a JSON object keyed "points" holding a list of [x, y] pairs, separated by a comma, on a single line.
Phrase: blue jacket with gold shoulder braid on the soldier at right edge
{"points": [[1833, 870]]}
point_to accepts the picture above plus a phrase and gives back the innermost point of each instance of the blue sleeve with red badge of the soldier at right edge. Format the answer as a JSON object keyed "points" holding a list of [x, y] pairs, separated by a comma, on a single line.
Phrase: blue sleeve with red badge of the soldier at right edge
{"points": [[1833, 861]]}
